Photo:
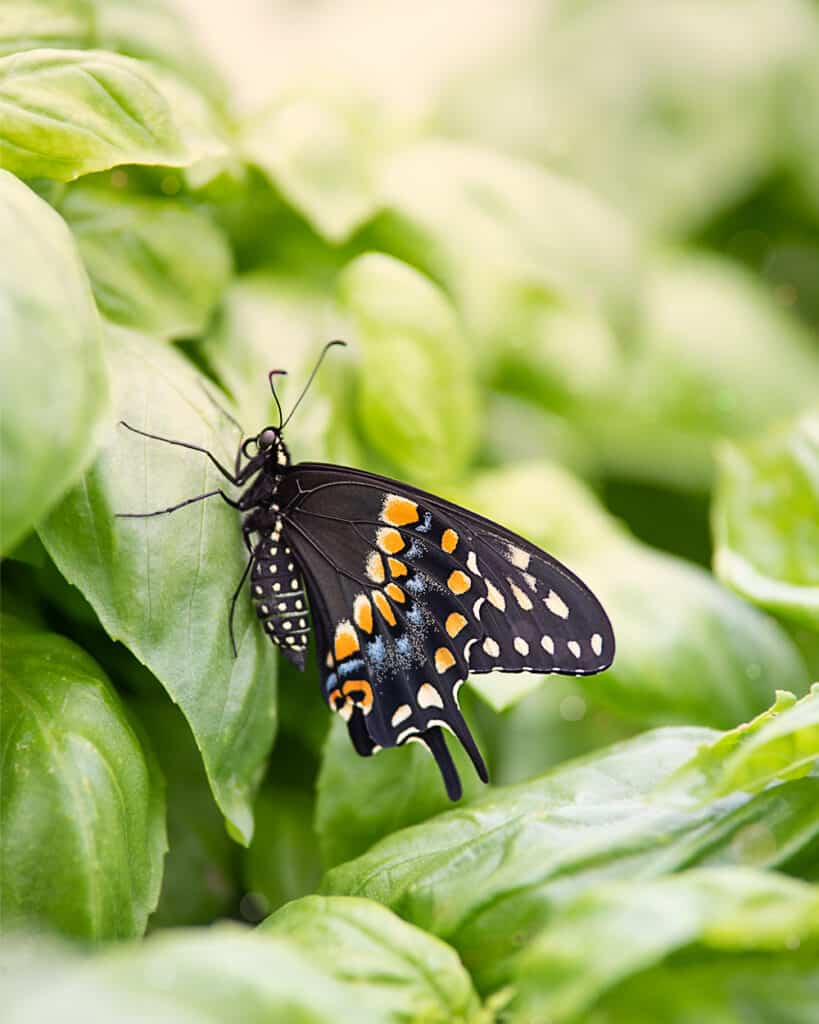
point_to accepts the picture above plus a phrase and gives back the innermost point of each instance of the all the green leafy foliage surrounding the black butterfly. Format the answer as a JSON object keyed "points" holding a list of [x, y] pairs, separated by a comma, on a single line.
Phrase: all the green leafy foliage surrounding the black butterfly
{"points": [[576, 255]]}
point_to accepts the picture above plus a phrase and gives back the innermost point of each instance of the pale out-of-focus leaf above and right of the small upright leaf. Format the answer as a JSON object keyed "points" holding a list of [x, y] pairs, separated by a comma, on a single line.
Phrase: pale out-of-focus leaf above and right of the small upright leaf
{"points": [[511, 243]]}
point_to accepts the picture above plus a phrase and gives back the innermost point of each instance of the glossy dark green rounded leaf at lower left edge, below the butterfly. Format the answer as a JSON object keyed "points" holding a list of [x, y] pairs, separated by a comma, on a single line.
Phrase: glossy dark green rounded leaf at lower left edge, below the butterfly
{"points": [[82, 817]]}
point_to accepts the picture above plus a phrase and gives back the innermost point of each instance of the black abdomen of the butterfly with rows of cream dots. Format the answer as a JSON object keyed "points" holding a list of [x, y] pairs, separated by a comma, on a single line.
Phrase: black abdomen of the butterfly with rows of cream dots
{"points": [[279, 594]]}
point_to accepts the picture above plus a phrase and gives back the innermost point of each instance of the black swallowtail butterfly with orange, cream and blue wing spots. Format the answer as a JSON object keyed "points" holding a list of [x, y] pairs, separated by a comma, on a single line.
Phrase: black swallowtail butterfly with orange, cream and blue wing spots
{"points": [[406, 594]]}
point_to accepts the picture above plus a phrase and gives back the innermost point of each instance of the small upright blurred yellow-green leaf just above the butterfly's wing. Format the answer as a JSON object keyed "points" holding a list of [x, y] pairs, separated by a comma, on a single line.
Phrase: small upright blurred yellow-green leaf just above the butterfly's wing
{"points": [[418, 402]]}
